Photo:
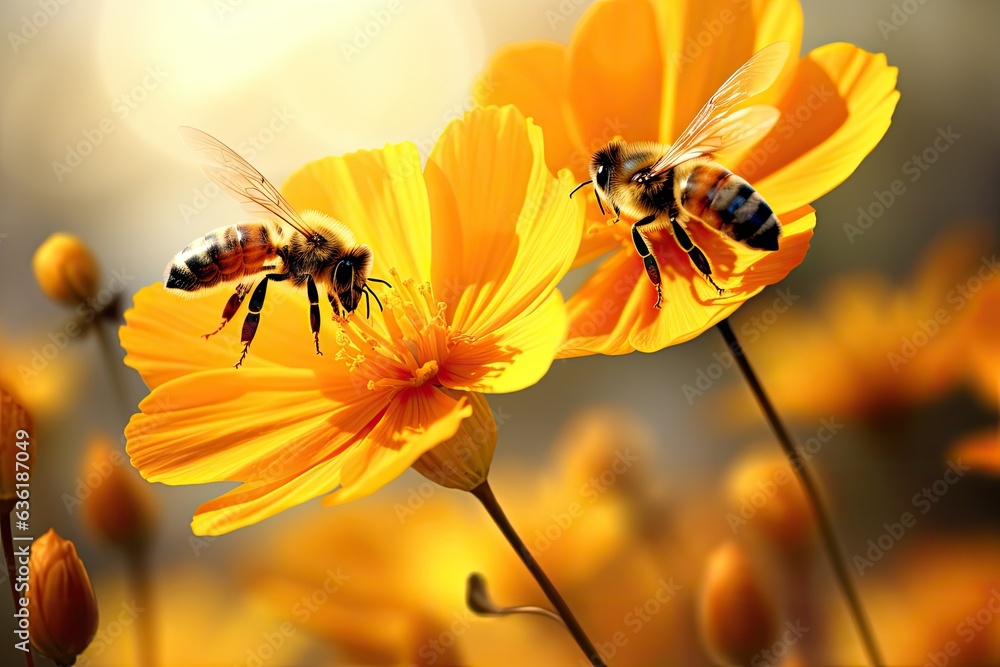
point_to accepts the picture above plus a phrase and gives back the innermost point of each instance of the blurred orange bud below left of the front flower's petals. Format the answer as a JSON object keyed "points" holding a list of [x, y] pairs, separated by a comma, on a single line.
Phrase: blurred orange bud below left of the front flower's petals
{"points": [[120, 507]]}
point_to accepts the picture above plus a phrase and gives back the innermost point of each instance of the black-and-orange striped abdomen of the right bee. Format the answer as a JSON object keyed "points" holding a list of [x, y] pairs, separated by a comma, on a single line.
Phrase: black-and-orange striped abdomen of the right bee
{"points": [[745, 215]]}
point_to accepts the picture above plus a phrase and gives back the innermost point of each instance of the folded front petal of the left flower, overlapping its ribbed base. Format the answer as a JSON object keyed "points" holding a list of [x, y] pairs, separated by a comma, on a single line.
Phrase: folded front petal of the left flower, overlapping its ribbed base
{"points": [[416, 421]]}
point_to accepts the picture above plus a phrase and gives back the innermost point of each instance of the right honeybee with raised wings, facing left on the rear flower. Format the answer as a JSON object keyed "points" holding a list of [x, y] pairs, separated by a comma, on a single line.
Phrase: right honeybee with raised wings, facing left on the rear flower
{"points": [[661, 185]]}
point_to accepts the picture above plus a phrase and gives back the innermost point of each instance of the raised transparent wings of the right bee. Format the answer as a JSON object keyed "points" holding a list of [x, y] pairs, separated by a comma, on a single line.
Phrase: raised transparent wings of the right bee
{"points": [[714, 128]]}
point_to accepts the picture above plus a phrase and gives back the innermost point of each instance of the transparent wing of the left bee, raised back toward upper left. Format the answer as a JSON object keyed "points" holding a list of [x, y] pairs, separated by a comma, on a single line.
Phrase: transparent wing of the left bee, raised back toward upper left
{"points": [[240, 180]]}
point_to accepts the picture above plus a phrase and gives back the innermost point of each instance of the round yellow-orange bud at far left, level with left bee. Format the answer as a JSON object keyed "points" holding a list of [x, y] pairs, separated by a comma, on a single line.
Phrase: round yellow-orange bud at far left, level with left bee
{"points": [[65, 269]]}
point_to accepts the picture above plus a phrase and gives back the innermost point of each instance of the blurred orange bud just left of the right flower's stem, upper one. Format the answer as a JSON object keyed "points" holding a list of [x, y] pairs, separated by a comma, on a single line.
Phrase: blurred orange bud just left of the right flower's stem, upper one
{"points": [[765, 495]]}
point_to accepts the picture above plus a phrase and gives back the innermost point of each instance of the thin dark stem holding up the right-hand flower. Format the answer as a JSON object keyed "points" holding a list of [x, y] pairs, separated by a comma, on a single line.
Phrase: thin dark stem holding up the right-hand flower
{"points": [[811, 487]]}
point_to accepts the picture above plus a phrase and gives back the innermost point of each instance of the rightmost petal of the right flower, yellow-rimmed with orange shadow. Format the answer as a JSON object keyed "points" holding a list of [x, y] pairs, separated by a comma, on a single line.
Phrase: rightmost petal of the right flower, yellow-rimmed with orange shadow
{"points": [[835, 112]]}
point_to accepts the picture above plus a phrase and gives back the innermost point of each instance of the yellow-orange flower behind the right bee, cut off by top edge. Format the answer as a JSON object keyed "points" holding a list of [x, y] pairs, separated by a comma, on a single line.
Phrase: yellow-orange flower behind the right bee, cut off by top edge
{"points": [[641, 69]]}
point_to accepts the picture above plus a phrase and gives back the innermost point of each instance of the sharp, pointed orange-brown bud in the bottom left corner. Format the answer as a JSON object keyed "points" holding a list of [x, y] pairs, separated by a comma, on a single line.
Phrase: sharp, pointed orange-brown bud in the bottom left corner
{"points": [[61, 602]]}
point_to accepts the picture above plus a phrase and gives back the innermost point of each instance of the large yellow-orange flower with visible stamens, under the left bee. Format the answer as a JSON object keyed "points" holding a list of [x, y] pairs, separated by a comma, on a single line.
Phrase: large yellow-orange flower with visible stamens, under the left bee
{"points": [[475, 245]]}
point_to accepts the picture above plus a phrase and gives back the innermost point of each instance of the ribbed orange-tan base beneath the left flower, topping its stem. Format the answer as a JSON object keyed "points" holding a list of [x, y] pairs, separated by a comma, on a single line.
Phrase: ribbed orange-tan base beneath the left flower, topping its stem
{"points": [[463, 462]]}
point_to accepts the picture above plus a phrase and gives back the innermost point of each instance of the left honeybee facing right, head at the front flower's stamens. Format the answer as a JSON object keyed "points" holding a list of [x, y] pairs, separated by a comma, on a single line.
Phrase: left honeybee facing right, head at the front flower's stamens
{"points": [[310, 250]]}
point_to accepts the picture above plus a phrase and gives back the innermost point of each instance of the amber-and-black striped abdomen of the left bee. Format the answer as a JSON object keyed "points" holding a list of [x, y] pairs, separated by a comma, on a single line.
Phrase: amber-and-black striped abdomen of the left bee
{"points": [[223, 255]]}
